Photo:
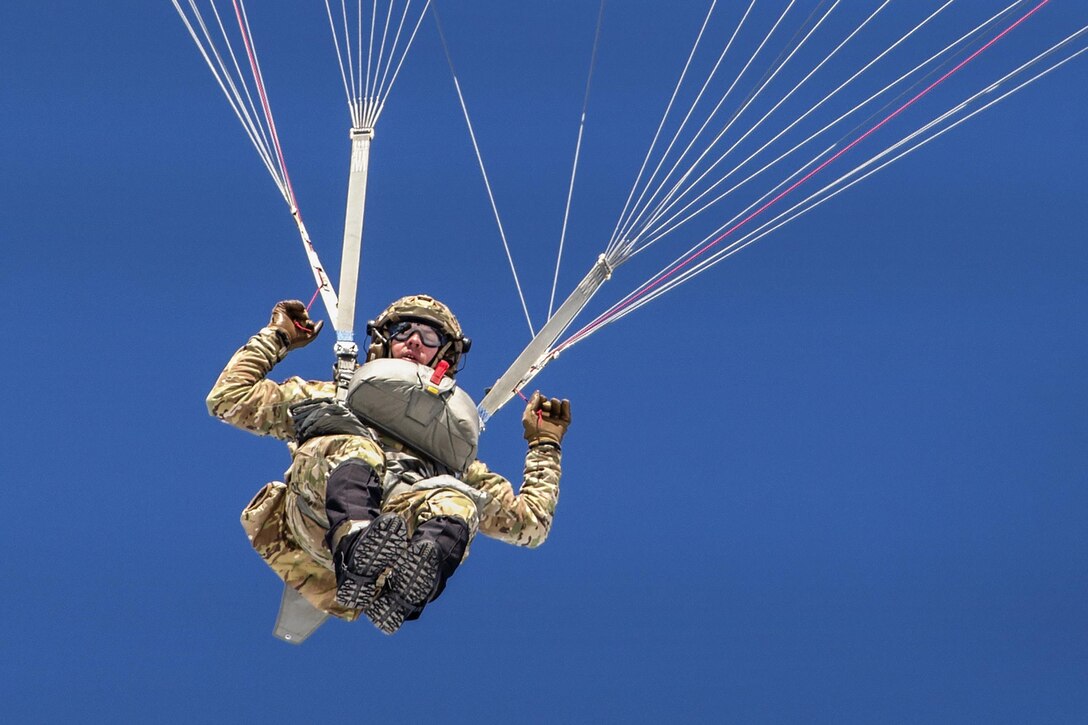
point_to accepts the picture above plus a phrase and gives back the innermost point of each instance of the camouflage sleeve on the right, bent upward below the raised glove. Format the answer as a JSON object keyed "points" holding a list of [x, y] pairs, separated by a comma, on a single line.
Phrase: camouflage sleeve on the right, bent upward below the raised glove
{"points": [[524, 519]]}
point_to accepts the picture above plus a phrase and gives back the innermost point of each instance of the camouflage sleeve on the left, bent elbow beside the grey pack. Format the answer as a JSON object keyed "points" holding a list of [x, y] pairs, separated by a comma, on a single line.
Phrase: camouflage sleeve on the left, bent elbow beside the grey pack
{"points": [[244, 398]]}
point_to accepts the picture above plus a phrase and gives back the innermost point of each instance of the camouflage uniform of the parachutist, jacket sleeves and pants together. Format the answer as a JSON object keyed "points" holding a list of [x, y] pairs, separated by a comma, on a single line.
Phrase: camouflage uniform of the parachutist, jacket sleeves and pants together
{"points": [[287, 522]]}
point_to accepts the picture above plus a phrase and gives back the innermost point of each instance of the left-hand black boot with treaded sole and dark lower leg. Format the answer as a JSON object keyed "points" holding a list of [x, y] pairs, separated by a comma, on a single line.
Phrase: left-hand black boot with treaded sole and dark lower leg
{"points": [[365, 544]]}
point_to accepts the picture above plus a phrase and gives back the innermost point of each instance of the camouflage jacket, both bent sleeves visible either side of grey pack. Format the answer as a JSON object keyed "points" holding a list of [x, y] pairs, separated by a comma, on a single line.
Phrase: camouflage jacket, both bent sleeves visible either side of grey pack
{"points": [[244, 398]]}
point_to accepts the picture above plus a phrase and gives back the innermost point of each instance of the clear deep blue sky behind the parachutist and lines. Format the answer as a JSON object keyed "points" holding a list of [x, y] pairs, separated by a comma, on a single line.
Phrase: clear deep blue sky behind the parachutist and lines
{"points": [[840, 478]]}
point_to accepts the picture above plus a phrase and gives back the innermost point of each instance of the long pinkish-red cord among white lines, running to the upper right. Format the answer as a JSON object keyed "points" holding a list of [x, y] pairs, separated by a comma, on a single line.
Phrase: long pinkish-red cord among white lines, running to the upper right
{"points": [[673, 269]]}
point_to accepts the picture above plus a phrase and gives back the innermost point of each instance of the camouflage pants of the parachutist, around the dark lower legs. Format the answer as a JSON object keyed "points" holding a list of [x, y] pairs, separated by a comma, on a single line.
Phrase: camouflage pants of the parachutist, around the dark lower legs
{"points": [[288, 523]]}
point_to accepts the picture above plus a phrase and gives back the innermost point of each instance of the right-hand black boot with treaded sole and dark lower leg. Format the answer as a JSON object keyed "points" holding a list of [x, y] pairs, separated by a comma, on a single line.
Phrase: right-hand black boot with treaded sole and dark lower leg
{"points": [[435, 554]]}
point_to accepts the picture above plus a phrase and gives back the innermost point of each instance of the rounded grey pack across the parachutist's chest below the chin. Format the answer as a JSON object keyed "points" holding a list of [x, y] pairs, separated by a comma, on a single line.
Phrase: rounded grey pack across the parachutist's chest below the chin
{"points": [[400, 398]]}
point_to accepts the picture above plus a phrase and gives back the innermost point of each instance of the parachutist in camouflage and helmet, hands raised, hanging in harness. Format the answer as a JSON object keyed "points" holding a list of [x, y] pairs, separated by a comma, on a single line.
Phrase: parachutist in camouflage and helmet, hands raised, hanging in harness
{"points": [[385, 495]]}
